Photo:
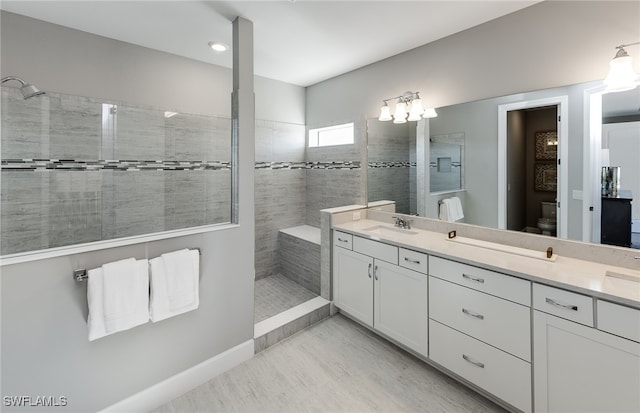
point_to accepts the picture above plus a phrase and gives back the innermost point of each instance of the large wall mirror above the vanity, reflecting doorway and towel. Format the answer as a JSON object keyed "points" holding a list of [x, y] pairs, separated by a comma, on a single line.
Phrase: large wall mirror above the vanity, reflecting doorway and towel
{"points": [[533, 185]]}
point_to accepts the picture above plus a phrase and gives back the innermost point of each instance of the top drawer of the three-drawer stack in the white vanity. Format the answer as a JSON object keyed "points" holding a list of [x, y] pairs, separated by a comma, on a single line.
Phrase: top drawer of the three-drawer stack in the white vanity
{"points": [[501, 285]]}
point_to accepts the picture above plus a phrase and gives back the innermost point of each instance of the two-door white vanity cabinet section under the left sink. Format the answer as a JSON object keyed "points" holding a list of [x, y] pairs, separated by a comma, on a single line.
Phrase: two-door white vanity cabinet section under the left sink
{"points": [[370, 286]]}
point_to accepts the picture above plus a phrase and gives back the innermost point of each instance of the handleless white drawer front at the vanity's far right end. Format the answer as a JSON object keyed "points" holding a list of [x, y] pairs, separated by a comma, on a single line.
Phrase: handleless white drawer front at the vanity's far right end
{"points": [[619, 320]]}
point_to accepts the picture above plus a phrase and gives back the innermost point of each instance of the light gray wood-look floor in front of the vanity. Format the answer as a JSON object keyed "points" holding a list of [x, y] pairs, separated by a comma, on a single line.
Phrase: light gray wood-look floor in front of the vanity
{"points": [[333, 366]]}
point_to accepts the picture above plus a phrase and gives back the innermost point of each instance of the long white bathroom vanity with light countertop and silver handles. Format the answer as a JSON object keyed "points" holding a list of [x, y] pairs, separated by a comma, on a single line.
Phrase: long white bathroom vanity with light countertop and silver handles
{"points": [[532, 330]]}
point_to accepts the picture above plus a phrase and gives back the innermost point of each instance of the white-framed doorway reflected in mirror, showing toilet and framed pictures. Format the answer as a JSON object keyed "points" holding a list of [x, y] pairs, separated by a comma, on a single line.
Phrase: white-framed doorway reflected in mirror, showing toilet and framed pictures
{"points": [[531, 174]]}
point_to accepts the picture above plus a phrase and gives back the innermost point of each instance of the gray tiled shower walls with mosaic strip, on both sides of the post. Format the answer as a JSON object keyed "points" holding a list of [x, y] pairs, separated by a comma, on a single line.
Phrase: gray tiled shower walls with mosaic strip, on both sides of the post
{"points": [[77, 169]]}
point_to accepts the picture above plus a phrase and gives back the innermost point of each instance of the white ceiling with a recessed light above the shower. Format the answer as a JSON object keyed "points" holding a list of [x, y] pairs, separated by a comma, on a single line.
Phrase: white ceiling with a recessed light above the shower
{"points": [[301, 42]]}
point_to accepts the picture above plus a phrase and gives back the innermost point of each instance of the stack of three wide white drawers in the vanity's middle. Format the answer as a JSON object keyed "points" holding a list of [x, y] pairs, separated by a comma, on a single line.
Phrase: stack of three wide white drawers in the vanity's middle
{"points": [[480, 328]]}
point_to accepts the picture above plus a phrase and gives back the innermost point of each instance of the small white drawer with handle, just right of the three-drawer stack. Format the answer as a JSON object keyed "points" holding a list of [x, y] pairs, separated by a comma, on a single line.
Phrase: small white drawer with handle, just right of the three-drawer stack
{"points": [[566, 304]]}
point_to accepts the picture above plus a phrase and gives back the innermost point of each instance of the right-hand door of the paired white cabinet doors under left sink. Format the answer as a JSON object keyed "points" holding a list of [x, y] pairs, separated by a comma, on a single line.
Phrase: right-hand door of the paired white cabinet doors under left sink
{"points": [[401, 305]]}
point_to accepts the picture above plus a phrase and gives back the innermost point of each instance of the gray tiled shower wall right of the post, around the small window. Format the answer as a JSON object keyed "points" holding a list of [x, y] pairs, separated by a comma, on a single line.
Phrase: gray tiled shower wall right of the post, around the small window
{"points": [[293, 183]]}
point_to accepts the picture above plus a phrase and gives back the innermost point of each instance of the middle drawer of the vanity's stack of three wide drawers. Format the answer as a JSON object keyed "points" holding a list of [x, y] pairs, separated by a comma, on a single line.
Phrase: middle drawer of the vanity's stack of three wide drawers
{"points": [[495, 321]]}
